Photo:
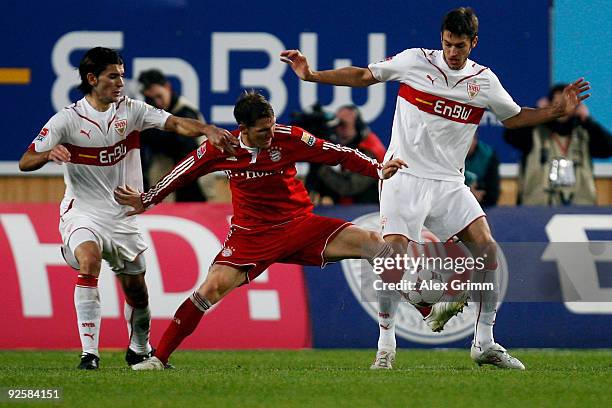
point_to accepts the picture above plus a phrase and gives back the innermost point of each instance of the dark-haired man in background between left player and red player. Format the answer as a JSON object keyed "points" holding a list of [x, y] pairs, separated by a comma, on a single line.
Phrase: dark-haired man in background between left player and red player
{"points": [[160, 150]]}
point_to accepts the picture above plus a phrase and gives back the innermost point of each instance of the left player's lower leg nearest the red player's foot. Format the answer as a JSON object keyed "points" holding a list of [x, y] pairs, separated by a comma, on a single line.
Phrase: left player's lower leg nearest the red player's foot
{"points": [[136, 311]]}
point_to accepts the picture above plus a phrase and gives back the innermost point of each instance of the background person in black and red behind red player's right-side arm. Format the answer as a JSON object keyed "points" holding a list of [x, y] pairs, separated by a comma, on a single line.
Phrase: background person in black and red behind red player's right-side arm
{"points": [[333, 185]]}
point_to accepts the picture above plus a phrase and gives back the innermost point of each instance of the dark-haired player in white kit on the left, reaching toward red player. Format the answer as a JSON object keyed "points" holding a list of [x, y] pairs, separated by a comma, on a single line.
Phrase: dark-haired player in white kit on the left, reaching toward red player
{"points": [[97, 141]]}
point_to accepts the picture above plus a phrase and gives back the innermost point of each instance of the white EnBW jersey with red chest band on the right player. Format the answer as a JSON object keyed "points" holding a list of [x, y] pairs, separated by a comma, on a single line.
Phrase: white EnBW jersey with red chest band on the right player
{"points": [[438, 110]]}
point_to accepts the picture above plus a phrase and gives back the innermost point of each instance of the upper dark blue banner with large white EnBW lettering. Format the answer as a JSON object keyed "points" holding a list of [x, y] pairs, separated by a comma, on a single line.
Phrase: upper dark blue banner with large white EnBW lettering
{"points": [[214, 50]]}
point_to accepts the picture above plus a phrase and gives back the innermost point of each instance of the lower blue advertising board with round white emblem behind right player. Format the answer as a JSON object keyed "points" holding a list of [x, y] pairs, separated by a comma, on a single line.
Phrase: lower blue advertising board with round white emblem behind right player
{"points": [[557, 282]]}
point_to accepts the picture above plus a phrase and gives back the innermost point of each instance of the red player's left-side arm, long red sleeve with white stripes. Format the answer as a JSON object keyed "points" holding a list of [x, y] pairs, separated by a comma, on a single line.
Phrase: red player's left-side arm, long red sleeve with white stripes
{"points": [[201, 161]]}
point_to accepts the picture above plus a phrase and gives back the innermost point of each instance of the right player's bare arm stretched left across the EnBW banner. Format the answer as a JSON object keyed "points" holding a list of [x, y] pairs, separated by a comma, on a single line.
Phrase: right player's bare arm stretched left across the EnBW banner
{"points": [[346, 76]]}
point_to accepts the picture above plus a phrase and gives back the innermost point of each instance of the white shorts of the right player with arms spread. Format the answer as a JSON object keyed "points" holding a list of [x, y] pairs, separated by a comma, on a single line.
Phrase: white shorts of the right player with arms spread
{"points": [[407, 203]]}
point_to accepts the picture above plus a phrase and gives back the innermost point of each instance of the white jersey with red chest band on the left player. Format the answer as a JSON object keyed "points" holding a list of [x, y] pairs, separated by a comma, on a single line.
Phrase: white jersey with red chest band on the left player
{"points": [[104, 153]]}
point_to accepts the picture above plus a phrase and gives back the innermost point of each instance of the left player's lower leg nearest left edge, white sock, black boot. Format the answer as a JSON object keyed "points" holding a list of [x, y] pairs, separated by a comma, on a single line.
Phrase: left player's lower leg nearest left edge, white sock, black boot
{"points": [[87, 298]]}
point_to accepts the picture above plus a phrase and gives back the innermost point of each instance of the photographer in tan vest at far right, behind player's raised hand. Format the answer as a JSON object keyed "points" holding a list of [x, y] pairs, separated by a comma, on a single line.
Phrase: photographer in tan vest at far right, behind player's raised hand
{"points": [[556, 163]]}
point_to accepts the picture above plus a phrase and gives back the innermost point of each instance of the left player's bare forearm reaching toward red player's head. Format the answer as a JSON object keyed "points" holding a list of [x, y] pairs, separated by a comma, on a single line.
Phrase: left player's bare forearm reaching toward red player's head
{"points": [[218, 137]]}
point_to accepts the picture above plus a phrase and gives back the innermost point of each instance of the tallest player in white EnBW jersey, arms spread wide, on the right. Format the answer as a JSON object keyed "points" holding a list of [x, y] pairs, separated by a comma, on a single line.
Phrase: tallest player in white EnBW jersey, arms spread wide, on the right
{"points": [[441, 99]]}
